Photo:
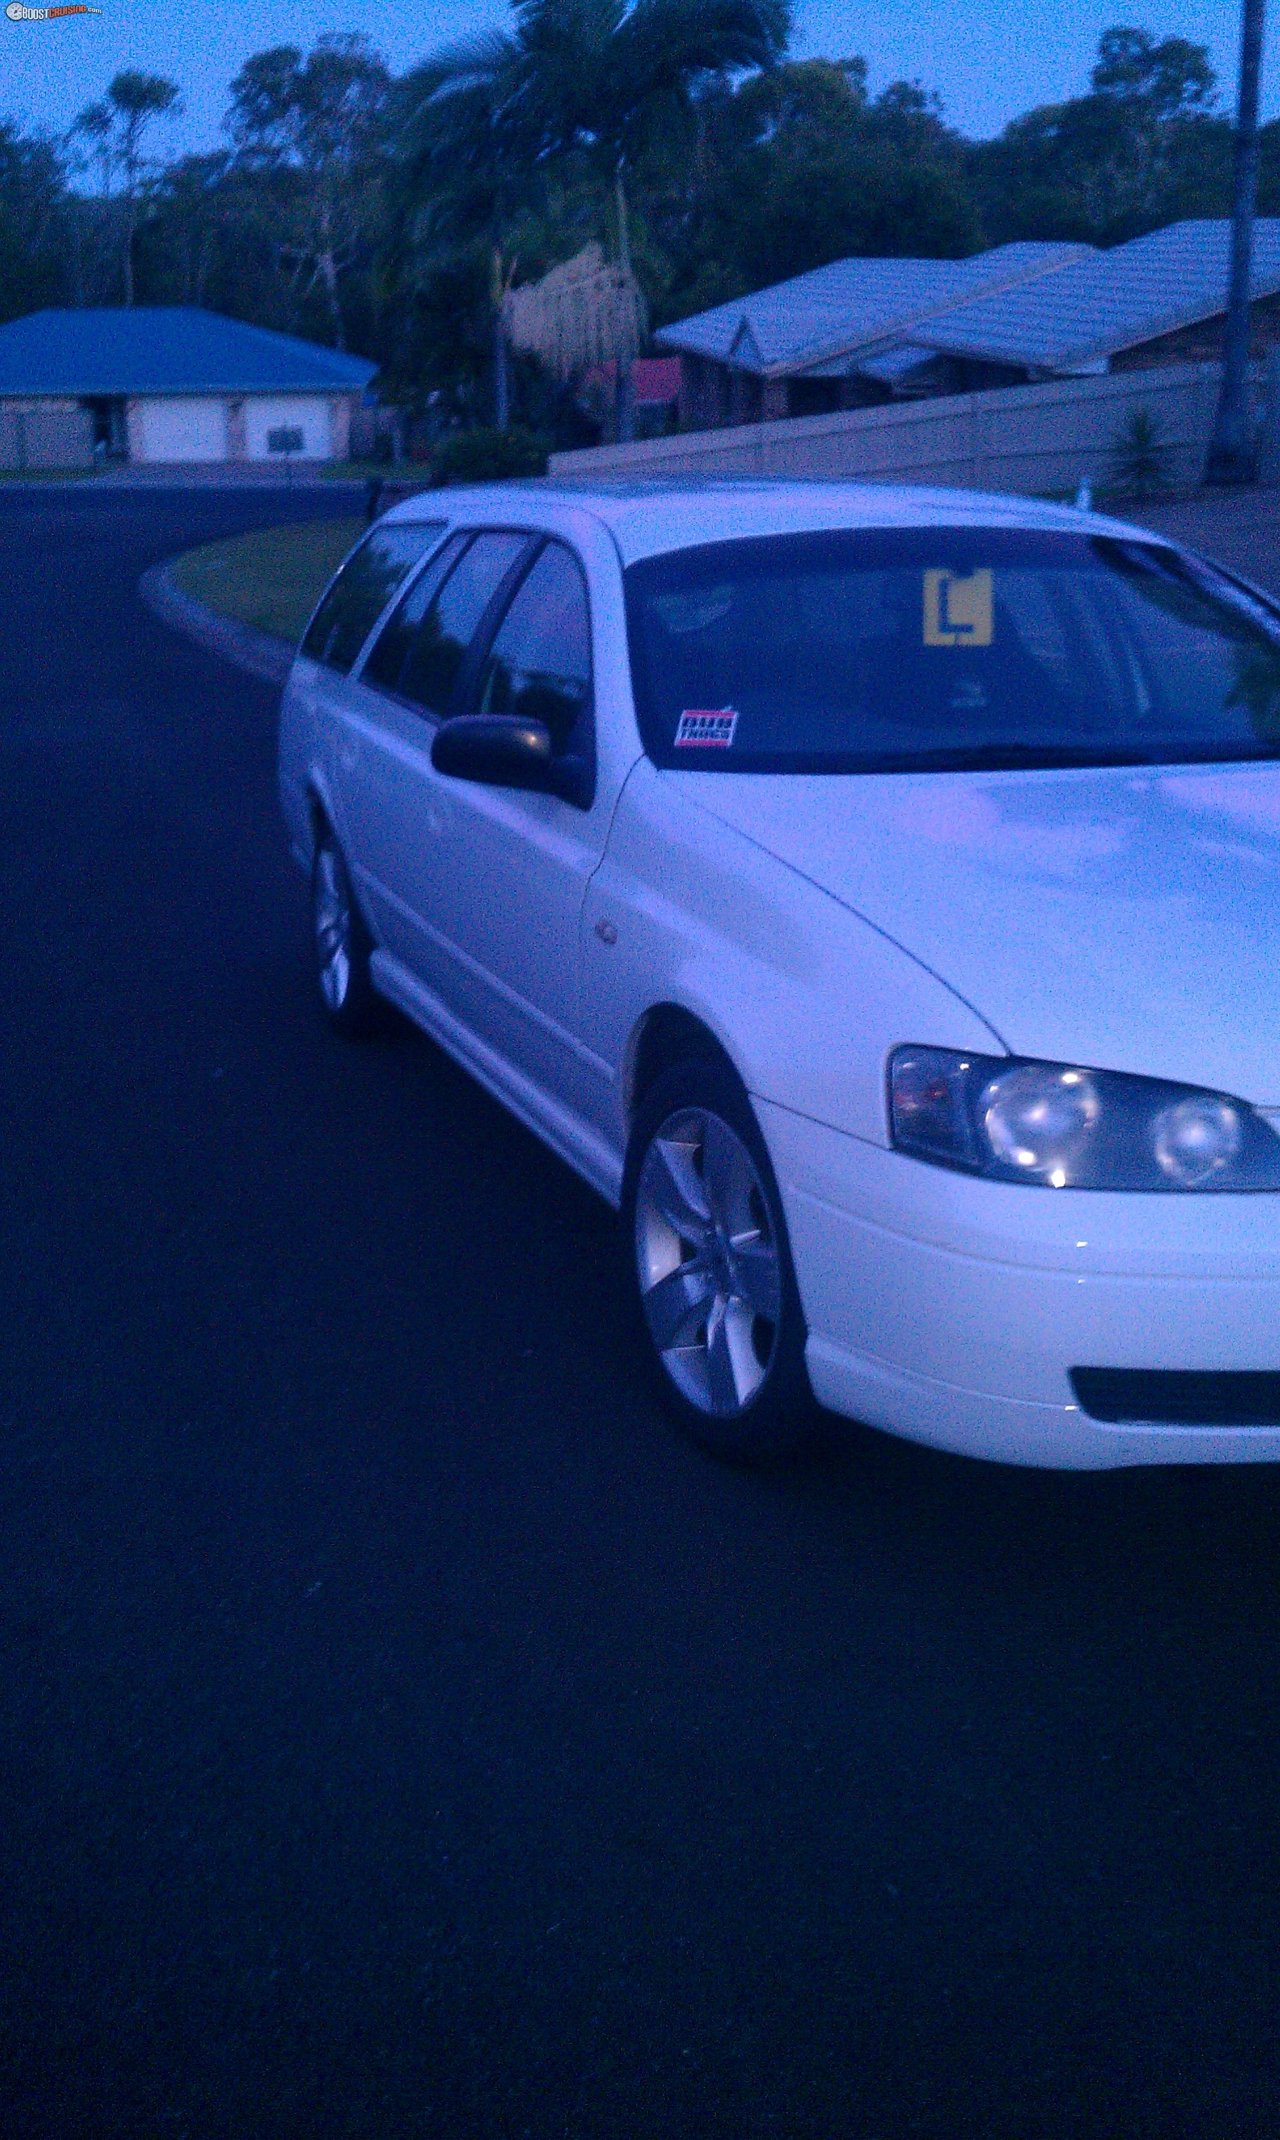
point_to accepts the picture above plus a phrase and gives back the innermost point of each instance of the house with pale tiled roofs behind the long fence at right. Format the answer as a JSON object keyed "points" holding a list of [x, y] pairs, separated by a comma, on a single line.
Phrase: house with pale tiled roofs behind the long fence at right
{"points": [[864, 333]]}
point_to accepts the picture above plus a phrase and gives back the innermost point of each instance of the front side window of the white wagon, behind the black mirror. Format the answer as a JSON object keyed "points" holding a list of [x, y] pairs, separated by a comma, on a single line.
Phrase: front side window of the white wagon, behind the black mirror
{"points": [[538, 667]]}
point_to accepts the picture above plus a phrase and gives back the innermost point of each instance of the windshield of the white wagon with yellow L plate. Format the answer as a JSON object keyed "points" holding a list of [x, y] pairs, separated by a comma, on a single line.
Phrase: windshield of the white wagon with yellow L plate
{"points": [[947, 649]]}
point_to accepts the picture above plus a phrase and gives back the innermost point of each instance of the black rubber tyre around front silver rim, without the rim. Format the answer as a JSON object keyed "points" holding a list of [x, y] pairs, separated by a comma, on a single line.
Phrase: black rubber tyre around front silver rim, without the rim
{"points": [[782, 1416]]}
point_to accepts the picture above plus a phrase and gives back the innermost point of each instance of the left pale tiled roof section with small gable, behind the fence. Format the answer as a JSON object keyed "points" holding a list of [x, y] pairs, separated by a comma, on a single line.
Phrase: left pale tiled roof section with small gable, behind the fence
{"points": [[853, 303]]}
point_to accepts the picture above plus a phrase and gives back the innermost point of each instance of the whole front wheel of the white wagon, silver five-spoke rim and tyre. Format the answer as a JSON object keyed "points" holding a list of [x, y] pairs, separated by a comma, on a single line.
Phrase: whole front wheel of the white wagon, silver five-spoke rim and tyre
{"points": [[712, 1270]]}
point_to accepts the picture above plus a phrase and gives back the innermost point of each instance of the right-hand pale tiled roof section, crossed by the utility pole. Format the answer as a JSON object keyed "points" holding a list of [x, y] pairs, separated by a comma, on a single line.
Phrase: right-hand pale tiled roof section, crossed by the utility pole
{"points": [[1114, 301]]}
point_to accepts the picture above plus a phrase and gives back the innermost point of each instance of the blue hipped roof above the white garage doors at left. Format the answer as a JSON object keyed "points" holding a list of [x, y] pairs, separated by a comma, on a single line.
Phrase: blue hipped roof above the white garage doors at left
{"points": [[166, 350]]}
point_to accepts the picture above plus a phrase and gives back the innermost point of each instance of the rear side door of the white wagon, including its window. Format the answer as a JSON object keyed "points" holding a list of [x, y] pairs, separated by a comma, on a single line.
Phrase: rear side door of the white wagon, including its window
{"points": [[391, 793]]}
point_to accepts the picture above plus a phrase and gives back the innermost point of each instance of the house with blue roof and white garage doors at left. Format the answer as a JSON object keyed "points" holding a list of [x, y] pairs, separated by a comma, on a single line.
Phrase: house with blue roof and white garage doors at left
{"points": [[170, 384]]}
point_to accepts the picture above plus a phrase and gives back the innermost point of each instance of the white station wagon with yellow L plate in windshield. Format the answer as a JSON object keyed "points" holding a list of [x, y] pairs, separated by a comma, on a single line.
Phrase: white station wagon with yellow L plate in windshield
{"points": [[877, 896]]}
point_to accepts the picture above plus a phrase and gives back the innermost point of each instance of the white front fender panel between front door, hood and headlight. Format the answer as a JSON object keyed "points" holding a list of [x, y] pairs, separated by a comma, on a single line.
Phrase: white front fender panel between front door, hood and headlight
{"points": [[804, 996]]}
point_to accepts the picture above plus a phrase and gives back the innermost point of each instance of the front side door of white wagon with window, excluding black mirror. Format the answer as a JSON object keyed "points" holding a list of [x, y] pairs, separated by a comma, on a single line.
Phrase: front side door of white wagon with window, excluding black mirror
{"points": [[504, 878]]}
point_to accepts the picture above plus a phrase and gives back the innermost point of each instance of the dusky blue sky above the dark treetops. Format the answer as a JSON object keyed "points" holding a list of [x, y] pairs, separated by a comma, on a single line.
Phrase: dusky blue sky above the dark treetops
{"points": [[988, 63]]}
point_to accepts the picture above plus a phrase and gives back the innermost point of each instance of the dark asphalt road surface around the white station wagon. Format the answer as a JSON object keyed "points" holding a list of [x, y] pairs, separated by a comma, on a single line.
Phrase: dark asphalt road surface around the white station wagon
{"points": [[403, 1734]]}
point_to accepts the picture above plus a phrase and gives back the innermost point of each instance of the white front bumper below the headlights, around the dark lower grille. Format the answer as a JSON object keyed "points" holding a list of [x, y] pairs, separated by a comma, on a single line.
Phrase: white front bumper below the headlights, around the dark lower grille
{"points": [[954, 1311]]}
